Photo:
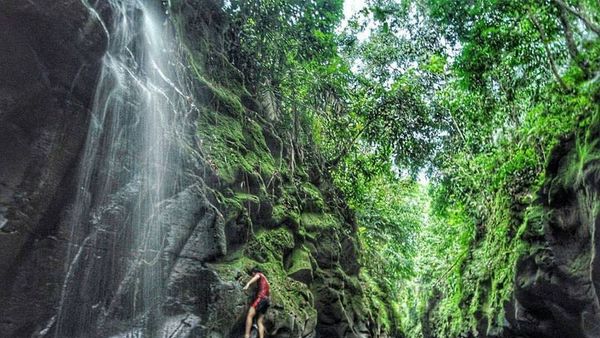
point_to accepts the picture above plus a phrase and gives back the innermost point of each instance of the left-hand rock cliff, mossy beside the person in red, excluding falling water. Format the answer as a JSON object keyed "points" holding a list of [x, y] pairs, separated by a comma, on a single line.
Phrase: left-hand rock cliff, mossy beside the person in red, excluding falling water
{"points": [[248, 197]]}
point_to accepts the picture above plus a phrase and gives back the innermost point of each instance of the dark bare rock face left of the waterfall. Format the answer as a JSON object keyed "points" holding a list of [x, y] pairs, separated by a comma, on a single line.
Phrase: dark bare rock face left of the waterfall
{"points": [[49, 59]]}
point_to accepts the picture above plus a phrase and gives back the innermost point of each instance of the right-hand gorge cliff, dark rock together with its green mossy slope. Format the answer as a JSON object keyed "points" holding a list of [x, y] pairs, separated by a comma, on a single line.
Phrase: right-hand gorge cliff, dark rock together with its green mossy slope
{"points": [[533, 272]]}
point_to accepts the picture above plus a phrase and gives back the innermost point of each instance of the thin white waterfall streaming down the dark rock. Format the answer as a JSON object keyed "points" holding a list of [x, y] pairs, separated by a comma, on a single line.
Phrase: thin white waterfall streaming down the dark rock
{"points": [[131, 162]]}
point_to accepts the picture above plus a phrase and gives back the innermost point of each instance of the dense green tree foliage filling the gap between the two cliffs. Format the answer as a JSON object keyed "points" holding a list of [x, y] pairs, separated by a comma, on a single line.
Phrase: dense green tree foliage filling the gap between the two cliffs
{"points": [[471, 95]]}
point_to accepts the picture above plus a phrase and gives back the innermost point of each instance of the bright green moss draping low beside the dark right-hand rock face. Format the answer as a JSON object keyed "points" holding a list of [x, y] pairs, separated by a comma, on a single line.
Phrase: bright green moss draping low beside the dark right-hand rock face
{"points": [[482, 282]]}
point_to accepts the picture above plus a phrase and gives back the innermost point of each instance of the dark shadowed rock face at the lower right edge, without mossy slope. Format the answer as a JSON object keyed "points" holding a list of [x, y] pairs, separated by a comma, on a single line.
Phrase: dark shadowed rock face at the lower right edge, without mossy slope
{"points": [[557, 283]]}
